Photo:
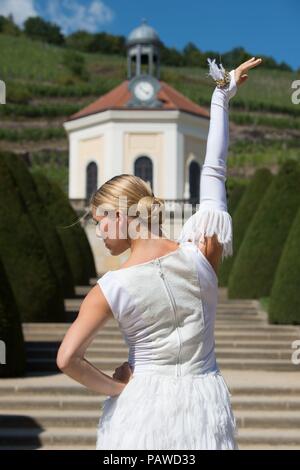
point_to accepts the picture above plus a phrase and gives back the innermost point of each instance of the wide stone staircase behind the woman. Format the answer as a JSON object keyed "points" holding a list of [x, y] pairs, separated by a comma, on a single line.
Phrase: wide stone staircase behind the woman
{"points": [[48, 410]]}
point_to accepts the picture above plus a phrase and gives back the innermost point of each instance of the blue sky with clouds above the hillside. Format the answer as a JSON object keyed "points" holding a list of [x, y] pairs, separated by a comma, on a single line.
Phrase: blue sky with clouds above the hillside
{"points": [[269, 27]]}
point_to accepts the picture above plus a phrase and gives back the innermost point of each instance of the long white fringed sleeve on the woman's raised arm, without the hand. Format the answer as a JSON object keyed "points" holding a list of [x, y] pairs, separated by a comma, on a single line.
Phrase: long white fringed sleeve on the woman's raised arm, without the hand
{"points": [[212, 216]]}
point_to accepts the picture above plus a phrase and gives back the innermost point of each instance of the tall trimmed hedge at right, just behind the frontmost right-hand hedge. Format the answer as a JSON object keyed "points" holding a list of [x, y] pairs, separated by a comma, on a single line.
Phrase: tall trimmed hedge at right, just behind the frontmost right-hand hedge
{"points": [[256, 262]]}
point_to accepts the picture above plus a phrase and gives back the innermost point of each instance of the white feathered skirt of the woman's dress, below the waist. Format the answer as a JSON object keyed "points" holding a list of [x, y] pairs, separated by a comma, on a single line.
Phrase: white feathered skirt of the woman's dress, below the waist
{"points": [[159, 412]]}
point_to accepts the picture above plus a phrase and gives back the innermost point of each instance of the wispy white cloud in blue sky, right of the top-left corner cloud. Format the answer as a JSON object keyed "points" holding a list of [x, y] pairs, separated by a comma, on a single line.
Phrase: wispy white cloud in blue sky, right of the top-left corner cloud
{"points": [[71, 15]]}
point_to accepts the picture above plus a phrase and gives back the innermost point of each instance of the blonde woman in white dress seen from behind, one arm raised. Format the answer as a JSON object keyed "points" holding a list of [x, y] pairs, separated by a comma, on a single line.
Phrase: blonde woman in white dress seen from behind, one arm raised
{"points": [[170, 394]]}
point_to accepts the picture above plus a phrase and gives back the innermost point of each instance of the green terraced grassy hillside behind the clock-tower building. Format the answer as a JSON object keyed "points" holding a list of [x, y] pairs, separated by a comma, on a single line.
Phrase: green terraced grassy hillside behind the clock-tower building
{"points": [[265, 137]]}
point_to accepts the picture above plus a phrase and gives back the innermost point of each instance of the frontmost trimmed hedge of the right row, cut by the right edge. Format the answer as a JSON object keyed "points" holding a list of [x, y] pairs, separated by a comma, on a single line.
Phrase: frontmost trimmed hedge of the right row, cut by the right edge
{"points": [[284, 303]]}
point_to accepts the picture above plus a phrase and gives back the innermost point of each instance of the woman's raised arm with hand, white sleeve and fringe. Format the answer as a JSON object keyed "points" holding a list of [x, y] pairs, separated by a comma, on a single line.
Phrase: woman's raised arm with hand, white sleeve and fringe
{"points": [[211, 226]]}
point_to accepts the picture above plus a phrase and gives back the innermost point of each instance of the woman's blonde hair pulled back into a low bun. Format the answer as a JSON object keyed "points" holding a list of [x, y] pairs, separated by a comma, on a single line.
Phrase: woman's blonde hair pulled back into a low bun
{"points": [[132, 195]]}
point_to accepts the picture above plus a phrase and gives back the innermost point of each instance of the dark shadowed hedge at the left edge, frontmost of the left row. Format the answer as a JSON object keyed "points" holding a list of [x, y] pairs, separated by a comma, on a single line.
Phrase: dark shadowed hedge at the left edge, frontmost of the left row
{"points": [[10, 331]]}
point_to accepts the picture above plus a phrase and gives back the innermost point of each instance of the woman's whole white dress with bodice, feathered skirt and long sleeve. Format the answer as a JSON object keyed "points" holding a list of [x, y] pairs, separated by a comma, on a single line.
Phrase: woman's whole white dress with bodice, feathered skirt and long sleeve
{"points": [[165, 308]]}
